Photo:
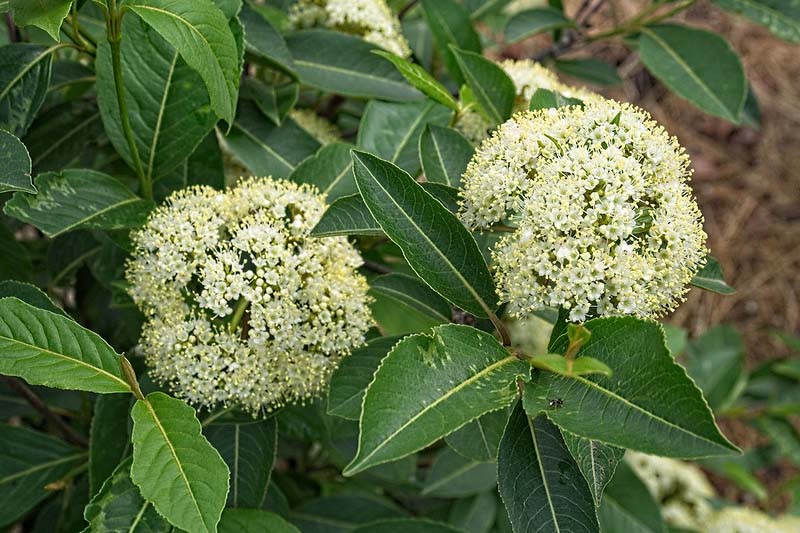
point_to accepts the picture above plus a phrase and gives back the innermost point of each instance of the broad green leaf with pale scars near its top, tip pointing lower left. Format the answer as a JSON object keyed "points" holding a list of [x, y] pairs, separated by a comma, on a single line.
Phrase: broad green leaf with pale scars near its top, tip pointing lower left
{"points": [[429, 386]]}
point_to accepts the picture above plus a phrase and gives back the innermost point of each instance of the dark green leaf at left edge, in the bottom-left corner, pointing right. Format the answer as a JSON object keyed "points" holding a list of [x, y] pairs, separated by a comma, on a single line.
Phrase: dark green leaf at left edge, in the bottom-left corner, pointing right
{"points": [[29, 461]]}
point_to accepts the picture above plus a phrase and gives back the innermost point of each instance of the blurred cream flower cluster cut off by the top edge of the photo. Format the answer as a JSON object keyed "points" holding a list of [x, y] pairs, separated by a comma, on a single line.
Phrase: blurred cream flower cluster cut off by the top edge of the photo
{"points": [[371, 20]]}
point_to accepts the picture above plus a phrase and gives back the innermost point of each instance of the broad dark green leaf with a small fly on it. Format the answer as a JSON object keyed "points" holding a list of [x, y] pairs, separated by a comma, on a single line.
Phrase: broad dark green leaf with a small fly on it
{"points": [[649, 403]]}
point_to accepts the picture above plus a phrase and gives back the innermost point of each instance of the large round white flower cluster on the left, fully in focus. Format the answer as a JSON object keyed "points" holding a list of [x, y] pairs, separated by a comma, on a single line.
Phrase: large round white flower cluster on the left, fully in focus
{"points": [[242, 307]]}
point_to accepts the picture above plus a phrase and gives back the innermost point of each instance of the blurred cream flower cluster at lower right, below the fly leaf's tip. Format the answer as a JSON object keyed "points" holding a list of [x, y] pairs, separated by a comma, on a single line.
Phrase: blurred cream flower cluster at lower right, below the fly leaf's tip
{"points": [[680, 488]]}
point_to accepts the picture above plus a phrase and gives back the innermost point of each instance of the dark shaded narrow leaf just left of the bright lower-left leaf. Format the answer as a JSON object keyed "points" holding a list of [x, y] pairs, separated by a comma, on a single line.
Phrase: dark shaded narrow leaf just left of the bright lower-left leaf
{"points": [[110, 438]]}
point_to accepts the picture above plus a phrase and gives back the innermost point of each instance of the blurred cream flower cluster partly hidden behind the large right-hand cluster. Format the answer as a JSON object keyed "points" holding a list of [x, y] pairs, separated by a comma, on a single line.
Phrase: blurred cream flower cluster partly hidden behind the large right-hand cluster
{"points": [[528, 77]]}
